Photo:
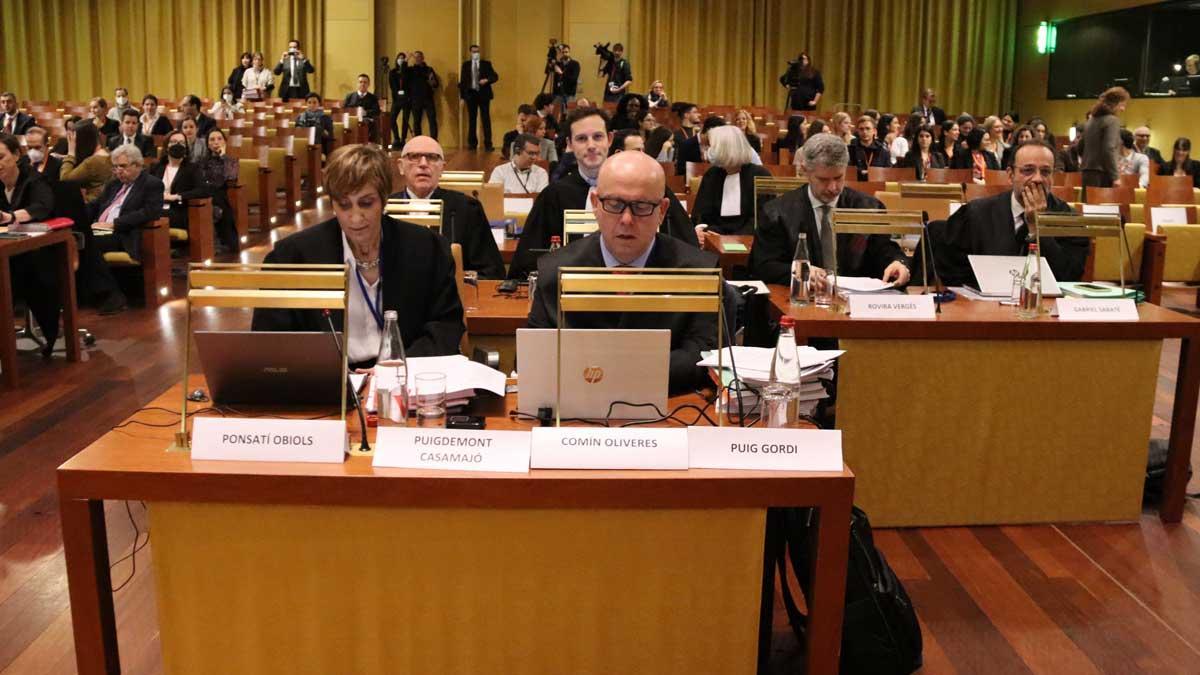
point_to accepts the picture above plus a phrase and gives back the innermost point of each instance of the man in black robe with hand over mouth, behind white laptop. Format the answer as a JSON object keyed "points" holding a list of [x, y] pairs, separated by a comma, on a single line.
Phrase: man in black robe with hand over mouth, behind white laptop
{"points": [[998, 226]]}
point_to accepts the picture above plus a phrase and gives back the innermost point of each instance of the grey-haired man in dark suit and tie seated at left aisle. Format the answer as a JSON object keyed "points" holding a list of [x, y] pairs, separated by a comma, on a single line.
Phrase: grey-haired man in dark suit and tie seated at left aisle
{"points": [[128, 205]]}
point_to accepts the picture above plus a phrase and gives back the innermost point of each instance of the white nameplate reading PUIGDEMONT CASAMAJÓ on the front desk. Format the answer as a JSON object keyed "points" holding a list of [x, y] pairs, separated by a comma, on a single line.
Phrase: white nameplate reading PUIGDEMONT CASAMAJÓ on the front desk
{"points": [[453, 450]]}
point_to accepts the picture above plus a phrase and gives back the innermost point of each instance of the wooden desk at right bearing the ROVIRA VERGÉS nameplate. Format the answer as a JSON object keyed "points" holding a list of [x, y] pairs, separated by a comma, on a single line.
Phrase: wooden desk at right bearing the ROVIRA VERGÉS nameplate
{"points": [[982, 419]]}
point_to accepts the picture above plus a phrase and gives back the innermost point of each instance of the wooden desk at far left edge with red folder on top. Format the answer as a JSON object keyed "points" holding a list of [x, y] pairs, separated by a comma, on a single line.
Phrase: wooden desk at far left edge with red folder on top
{"points": [[64, 242]]}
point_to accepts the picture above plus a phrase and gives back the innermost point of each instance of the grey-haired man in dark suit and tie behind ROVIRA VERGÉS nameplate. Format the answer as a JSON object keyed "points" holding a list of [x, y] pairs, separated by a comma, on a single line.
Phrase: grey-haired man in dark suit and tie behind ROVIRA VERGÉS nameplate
{"points": [[811, 211]]}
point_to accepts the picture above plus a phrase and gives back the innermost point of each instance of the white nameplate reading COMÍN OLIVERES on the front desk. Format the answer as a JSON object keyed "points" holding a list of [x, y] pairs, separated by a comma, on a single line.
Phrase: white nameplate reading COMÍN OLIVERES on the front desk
{"points": [[609, 449]]}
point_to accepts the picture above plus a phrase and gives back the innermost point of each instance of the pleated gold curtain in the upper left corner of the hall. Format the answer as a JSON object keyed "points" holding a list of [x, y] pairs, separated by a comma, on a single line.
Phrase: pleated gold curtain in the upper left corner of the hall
{"points": [[76, 50]]}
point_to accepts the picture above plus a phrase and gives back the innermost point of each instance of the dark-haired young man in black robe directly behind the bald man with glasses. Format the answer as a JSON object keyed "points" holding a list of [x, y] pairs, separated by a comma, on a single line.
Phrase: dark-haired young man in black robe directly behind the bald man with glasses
{"points": [[589, 140]]}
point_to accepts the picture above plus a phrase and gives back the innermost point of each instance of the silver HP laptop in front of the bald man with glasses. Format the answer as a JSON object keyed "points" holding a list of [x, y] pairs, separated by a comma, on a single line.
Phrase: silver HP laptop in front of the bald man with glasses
{"points": [[599, 367]]}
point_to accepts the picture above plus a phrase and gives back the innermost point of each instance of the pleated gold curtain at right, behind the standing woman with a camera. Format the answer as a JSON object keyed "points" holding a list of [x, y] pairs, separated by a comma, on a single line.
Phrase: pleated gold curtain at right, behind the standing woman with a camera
{"points": [[878, 53]]}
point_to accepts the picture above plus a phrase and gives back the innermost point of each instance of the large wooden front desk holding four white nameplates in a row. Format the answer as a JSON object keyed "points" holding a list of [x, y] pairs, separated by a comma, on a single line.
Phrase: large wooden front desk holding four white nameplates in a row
{"points": [[338, 569]]}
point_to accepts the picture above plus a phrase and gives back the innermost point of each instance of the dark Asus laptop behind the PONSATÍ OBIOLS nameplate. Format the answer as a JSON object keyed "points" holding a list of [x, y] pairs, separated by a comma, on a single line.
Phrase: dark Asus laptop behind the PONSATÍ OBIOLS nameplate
{"points": [[272, 368]]}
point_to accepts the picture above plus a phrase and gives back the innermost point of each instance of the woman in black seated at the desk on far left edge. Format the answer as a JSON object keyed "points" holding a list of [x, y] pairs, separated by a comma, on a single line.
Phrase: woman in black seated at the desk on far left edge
{"points": [[25, 198]]}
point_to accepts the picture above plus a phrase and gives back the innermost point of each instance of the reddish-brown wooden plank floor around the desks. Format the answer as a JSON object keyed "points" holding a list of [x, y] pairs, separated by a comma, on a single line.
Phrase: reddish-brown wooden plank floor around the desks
{"points": [[1055, 599]]}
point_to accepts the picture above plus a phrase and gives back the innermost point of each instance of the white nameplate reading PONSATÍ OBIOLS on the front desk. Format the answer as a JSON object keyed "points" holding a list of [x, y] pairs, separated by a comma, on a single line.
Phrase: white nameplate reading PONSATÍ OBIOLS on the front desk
{"points": [[269, 440]]}
